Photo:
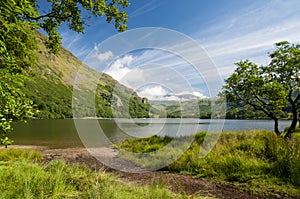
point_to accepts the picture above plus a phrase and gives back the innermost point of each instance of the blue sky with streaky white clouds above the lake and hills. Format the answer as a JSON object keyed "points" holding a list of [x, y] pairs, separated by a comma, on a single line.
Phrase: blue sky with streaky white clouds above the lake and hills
{"points": [[228, 30]]}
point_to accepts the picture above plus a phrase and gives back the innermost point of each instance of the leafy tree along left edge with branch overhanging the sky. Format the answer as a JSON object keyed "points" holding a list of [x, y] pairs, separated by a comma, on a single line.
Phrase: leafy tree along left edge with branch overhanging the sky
{"points": [[19, 21]]}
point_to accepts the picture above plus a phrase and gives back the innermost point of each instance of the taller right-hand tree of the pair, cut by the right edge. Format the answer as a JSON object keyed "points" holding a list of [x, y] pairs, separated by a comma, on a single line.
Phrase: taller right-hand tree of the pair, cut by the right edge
{"points": [[285, 69]]}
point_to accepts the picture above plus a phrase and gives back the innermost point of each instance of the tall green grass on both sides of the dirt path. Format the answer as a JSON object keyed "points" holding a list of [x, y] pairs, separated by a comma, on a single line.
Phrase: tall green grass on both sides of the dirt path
{"points": [[258, 162]]}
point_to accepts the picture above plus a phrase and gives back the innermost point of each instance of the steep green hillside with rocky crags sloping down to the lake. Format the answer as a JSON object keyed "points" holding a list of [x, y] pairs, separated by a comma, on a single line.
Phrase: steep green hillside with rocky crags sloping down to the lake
{"points": [[50, 85]]}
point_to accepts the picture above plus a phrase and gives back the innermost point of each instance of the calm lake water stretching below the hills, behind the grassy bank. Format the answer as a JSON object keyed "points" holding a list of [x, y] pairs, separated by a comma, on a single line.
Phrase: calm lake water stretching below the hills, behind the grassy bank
{"points": [[64, 133]]}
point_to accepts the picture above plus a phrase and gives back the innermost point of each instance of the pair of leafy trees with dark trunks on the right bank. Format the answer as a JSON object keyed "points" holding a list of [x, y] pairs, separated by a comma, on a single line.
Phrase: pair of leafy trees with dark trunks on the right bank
{"points": [[268, 88]]}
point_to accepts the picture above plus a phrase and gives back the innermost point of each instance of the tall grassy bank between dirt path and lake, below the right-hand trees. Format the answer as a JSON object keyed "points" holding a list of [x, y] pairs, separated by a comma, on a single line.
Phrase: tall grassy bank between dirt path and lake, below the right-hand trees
{"points": [[258, 161]]}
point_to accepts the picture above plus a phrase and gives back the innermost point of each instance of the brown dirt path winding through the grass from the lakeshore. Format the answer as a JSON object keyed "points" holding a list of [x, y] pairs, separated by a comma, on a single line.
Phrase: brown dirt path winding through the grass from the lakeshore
{"points": [[175, 182]]}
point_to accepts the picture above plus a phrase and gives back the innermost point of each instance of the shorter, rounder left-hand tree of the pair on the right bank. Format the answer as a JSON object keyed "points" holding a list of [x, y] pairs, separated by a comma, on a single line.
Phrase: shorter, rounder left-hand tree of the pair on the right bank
{"points": [[249, 87]]}
